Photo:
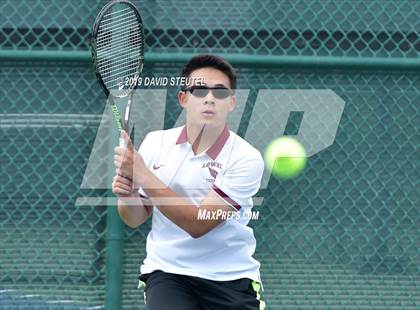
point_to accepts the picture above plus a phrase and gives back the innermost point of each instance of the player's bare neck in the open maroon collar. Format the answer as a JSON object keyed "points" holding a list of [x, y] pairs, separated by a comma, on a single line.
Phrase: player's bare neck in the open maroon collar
{"points": [[202, 138]]}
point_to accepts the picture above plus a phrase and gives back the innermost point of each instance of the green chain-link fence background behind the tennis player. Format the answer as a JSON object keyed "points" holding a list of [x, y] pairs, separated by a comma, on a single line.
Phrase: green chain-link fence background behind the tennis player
{"points": [[342, 235]]}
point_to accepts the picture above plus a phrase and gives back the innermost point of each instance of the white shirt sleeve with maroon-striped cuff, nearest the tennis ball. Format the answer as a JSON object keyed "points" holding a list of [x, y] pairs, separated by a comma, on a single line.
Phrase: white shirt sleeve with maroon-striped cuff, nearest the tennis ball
{"points": [[240, 182]]}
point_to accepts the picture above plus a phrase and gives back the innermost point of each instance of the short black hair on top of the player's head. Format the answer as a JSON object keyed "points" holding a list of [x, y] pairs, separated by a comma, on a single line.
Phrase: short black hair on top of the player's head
{"points": [[212, 61]]}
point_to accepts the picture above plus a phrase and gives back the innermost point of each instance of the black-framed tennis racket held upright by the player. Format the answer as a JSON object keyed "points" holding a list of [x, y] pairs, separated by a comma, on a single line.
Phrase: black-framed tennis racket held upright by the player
{"points": [[118, 55]]}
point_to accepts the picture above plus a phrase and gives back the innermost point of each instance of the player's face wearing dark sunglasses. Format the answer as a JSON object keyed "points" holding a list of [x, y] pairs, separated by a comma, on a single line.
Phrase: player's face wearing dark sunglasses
{"points": [[210, 102]]}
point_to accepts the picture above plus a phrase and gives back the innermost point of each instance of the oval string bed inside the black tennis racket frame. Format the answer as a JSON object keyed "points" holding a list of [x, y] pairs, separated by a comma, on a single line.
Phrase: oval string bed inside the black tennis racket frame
{"points": [[119, 48]]}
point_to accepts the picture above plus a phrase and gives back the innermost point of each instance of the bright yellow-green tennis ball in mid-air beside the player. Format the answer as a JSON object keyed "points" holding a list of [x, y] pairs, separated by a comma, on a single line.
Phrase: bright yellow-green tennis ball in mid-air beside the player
{"points": [[286, 157]]}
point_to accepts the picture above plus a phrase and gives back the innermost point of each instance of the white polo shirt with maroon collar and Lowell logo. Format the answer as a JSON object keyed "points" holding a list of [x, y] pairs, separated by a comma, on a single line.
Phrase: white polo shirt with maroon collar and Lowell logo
{"points": [[232, 168]]}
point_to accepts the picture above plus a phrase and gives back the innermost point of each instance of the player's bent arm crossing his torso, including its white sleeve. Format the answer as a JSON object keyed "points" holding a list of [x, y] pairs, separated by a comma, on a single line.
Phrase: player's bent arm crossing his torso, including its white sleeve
{"points": [[231, 192]]}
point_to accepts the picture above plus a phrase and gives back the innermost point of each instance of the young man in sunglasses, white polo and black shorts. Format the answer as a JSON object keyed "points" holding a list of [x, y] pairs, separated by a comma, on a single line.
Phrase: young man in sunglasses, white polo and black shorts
{"points": [[198, 181]]}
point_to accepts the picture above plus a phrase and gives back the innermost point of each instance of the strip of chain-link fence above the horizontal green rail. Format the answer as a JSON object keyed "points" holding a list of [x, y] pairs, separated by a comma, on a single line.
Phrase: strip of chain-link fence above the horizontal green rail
{"points": [[305, 27]]}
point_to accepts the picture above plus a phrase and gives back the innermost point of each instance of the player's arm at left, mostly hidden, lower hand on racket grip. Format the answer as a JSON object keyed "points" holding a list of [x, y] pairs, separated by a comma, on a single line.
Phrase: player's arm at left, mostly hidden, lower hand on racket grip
{"points": [[132, 209]]}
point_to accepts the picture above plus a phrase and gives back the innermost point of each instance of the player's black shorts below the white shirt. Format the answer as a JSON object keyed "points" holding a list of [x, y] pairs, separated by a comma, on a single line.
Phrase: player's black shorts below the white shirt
{"points": [[167, 291]]}
